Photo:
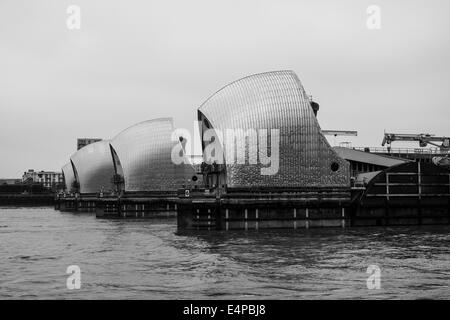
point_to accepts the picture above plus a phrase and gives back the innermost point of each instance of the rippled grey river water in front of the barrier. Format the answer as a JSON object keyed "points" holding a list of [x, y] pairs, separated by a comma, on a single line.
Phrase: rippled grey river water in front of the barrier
{"points": [[149, 259]]}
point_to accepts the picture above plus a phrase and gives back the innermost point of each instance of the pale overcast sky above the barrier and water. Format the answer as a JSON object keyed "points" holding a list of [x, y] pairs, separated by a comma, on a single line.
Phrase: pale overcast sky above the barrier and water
{"points": [[136, 60]]}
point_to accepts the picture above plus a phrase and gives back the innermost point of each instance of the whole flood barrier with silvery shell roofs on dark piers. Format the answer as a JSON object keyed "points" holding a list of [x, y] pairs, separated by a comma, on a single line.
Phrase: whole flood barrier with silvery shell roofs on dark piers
{"points": [[265, 164]]}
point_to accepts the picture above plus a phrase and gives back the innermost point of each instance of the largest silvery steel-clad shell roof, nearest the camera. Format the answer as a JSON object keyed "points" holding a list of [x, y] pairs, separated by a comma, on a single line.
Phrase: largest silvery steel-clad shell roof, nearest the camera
{"points": [[276, 100]]}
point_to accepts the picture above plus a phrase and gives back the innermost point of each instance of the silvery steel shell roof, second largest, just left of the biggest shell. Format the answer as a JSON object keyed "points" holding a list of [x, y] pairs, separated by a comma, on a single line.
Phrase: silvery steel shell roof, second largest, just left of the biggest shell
{"points": [[144, 151]]}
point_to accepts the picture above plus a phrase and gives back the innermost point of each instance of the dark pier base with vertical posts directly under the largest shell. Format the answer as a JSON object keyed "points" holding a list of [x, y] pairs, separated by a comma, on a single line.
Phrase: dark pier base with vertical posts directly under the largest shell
{"points": [[250, 211]]}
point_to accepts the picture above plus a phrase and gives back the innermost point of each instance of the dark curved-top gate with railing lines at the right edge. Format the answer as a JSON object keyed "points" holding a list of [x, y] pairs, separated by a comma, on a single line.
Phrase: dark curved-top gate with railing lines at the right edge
{"points": [[408, 194]]}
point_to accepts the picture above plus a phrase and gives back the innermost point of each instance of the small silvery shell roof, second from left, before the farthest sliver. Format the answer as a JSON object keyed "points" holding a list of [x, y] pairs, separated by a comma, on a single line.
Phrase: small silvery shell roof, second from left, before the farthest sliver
{"points": [[94, 168]]}
